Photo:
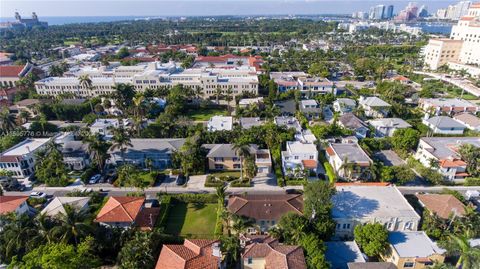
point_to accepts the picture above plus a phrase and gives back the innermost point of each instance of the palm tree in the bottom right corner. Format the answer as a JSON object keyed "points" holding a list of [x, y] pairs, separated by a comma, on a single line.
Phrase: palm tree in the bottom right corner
{"points": [[469, 256]]}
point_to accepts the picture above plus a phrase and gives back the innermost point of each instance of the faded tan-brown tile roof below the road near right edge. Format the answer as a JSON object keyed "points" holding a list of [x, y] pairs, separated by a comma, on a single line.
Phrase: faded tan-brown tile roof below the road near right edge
{"points": [[442, 204]]}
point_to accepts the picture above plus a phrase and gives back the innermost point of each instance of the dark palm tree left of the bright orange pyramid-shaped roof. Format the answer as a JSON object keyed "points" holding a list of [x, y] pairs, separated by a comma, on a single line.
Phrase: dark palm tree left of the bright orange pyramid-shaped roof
{"points": [[73, 225]]}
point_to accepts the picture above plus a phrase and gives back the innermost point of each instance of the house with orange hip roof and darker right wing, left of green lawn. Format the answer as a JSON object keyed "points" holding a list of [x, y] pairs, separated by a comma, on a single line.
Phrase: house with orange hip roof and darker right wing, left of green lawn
{"points": [[124, 212]]}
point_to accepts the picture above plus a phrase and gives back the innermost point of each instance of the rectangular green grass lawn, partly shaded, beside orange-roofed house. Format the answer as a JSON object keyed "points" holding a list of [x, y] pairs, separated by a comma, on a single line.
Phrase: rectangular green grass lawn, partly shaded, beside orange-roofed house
{"points": [[192, 220]]}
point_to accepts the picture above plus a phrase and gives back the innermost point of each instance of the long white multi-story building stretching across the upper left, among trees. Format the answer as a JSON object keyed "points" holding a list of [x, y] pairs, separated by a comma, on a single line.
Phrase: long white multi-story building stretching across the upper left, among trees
{"points": [[154, 75]]}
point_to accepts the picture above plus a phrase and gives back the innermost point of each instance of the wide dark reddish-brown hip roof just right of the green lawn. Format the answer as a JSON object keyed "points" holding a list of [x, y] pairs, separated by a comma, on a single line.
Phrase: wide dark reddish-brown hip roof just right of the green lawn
{"points": [[265, 207]]}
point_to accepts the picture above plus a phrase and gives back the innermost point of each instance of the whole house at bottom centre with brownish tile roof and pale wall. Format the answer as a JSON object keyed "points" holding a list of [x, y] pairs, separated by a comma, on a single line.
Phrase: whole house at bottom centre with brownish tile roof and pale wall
{"points": [[266, 252]]}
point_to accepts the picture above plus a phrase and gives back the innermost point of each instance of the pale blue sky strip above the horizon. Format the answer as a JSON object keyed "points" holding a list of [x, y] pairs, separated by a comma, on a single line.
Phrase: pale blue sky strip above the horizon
{"points": [[196, 7]]}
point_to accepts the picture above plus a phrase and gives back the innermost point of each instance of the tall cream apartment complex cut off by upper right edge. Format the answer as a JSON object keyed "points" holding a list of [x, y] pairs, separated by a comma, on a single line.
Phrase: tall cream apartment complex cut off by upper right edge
{"points": [[461, 50]]}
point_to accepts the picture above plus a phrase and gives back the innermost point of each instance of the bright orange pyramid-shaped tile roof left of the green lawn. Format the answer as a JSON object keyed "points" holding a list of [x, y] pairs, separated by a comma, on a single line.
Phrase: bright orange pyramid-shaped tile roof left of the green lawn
{"points": [[120, 209]]}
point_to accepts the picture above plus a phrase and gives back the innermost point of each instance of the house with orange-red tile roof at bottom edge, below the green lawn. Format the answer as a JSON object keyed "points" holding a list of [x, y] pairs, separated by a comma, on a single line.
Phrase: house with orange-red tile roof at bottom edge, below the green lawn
{"points": [[193, 254]]}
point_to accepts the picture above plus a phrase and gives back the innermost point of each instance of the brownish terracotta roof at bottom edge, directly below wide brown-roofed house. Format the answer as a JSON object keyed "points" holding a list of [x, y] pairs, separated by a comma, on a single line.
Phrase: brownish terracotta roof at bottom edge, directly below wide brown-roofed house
{"points": [[276, 255]]}
